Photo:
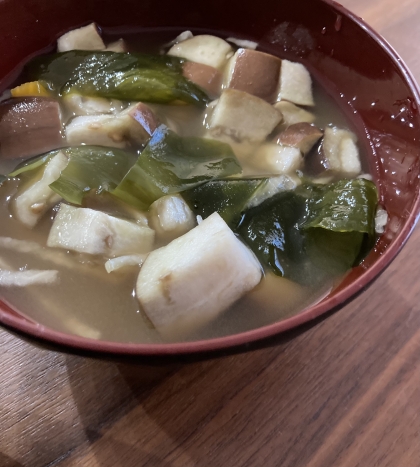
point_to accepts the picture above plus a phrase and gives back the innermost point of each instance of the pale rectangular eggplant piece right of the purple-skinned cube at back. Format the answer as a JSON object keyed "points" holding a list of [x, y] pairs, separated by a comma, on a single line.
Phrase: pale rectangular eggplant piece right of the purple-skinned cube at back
{"points": [[295, 84]]}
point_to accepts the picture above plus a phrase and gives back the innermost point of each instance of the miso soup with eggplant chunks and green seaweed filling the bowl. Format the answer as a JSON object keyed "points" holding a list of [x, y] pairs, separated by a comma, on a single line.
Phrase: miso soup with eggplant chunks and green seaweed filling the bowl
{"points": [[156, 192]]}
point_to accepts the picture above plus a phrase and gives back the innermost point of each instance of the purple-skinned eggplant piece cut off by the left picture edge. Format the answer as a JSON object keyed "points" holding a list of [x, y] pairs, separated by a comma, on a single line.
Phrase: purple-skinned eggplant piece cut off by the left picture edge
{"points": [[29, 126]]}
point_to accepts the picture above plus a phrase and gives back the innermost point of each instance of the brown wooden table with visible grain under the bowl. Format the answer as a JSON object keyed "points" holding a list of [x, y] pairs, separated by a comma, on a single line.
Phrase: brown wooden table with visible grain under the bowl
{"points": [[342, 393]]}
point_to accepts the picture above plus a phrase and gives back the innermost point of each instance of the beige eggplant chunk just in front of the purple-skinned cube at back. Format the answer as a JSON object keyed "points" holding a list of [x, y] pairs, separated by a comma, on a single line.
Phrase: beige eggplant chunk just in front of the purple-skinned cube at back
{"points": [[243, 116]]}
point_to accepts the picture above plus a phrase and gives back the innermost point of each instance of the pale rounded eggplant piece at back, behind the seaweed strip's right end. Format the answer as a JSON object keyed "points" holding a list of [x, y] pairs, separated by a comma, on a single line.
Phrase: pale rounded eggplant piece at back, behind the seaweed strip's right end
{"points": [[205, 49]]}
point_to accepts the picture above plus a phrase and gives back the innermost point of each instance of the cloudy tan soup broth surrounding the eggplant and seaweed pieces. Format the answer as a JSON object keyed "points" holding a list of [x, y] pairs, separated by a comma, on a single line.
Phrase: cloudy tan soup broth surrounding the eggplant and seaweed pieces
{"points": [[90, 302]]}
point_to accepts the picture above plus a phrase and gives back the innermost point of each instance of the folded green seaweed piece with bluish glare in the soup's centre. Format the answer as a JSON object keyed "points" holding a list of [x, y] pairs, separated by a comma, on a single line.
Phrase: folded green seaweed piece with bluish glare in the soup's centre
{"points": [[172, 164]]}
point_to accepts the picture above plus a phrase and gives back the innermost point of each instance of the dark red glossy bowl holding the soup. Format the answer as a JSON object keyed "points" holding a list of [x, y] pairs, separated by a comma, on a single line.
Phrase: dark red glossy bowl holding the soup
{"points": [[357, 66]]}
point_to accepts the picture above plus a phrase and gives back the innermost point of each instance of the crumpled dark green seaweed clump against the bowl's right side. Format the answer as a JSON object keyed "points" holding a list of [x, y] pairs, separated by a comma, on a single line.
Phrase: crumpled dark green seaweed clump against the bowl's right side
{"points": [[316, 231]]}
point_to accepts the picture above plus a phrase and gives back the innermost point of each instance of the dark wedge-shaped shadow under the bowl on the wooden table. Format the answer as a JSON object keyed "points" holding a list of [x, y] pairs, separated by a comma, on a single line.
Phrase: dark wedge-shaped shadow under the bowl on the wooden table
{"points": [[141, 391]]}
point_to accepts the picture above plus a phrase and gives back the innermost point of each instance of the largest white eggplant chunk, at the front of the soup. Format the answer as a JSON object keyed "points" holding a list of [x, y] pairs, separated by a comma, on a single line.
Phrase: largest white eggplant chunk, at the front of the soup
{"points": [[189, 282]]}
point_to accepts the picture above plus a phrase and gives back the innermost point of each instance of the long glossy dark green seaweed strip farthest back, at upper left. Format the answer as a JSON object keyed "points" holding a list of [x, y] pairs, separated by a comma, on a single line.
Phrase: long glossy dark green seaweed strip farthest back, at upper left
{"points": [[125, 76]]}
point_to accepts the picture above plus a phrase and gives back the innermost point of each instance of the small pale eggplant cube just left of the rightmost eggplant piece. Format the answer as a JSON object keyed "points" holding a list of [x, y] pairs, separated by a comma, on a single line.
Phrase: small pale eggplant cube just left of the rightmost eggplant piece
{"points": [[273, 158]]}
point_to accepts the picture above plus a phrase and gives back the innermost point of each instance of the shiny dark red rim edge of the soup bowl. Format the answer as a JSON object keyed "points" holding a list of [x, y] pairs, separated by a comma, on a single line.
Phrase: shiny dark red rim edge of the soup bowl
{"points": [[308, 314]]}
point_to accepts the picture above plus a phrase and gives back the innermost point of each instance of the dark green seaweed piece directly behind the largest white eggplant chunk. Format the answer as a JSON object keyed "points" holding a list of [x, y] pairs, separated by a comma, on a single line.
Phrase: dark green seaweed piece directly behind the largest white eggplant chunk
{"points": [[226, 197]]}
